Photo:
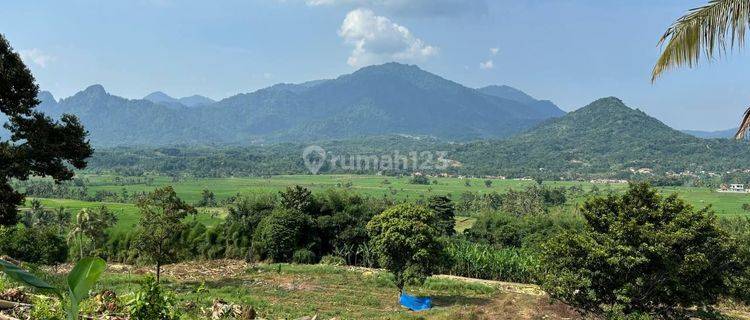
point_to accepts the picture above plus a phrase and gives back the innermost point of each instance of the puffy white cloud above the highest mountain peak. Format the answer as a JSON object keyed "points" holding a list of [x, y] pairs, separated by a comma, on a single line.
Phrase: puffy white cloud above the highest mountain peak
{"points": [[377, 39]]}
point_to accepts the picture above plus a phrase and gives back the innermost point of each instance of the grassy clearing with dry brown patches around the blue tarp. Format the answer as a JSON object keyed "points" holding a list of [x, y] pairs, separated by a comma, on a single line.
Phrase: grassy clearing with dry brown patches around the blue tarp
{"points": [[292, 291]]}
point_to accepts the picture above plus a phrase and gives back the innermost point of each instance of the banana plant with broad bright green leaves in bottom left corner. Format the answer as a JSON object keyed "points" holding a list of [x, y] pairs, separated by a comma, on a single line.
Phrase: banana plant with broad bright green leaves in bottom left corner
{"points": [[80, 281]]}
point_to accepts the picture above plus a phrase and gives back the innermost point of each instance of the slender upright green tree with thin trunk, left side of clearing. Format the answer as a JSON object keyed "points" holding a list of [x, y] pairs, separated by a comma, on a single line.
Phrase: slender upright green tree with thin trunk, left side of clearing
{"points": [[162, 214]]}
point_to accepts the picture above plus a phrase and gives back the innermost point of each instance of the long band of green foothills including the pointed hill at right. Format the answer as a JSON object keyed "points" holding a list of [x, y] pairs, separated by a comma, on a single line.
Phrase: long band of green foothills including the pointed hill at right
{"points": [[604, 139]]}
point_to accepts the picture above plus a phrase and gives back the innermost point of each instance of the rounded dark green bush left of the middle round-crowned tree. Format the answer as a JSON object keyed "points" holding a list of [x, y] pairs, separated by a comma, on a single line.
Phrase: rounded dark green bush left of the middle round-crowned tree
{"points": [[280, 234]]}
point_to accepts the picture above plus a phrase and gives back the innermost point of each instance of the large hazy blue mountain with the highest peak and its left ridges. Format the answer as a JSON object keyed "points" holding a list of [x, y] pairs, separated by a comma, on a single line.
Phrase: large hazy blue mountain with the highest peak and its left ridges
{"points": [[377, 100]]}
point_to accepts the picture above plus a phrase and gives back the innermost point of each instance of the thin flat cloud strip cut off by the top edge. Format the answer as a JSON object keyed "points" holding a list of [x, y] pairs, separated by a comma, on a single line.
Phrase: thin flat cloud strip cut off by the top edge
{"points": [[413, 7]]}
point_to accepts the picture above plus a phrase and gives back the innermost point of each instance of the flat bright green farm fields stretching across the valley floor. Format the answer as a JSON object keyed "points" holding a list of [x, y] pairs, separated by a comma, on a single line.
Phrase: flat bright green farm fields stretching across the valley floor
{"points": [[189, 189]]}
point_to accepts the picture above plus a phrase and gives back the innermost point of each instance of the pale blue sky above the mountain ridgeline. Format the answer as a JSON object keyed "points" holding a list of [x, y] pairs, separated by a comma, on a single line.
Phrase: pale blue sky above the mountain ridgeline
{"points": [[570, 52]]}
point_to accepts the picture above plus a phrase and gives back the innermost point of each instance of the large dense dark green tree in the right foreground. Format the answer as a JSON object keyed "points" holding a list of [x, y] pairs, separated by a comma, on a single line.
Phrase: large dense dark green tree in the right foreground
{"points": [[641, 253]]}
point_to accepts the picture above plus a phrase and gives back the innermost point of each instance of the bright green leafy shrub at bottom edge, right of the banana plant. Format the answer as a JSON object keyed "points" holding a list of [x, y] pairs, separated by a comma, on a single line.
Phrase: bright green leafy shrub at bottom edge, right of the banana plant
{"points": [[153, 302]]}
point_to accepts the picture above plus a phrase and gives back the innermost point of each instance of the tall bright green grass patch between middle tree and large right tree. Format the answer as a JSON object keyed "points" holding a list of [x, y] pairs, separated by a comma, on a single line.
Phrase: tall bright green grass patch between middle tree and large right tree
{"points": [[481, 261]]}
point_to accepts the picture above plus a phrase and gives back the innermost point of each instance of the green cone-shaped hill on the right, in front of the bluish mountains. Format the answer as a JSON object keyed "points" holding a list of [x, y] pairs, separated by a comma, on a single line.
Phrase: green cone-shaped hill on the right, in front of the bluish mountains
{"points": [[603, 137]]}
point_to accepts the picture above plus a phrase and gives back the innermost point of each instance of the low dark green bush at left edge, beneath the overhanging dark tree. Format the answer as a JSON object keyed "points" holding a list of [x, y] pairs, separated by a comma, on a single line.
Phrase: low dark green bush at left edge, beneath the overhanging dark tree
{"points": [[36, 245]]}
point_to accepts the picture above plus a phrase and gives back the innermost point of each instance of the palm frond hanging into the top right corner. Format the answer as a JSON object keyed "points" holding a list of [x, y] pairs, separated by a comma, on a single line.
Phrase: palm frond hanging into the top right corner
{"points": [[709, 29]]}
